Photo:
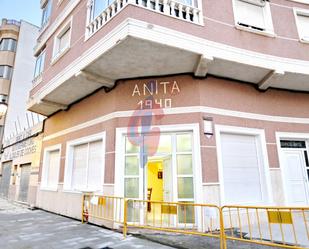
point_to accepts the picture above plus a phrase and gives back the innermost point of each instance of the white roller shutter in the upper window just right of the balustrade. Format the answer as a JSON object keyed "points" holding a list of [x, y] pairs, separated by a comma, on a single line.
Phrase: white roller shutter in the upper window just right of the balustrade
{"points": [[250, 14]]}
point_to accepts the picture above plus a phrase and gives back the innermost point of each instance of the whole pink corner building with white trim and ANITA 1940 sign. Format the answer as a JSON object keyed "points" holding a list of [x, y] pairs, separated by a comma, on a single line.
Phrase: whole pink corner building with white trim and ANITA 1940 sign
{"points": [[226, 83]]}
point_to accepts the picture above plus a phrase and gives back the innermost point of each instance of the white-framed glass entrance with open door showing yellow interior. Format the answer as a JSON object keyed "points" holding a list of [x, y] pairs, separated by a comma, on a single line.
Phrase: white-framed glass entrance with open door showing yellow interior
{"points": [[159, 168]]}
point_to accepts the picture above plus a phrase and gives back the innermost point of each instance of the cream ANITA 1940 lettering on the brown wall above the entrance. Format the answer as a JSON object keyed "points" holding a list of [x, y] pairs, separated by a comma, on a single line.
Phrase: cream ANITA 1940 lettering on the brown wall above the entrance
{"points": [[159, 91]]}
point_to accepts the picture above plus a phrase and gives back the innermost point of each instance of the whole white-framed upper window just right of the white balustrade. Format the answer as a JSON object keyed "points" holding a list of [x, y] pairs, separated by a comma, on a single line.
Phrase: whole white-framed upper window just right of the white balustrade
{"points": [[253, 15]]}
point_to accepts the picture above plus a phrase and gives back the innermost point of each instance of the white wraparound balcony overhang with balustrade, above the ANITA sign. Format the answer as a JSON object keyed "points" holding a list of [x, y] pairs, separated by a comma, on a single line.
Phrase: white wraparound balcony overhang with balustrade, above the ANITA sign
{"points": [[135, 48]]}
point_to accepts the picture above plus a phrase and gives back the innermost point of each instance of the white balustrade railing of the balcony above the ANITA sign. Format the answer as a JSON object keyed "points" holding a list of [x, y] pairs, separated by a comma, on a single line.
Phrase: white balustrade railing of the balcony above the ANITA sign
{"points": [[171, 8]]}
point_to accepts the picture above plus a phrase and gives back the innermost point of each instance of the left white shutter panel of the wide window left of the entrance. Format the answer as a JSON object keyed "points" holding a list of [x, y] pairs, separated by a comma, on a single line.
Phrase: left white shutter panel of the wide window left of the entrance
{"points": [[79, 175]]}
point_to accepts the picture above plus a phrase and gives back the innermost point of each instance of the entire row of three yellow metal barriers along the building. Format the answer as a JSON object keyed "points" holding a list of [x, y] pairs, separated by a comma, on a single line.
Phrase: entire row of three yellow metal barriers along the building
{"points": [[283, 227]]}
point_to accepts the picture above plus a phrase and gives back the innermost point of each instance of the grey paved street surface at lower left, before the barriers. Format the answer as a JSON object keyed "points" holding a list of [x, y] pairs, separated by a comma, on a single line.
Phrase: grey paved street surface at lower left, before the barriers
{"points": [[21, 228]]}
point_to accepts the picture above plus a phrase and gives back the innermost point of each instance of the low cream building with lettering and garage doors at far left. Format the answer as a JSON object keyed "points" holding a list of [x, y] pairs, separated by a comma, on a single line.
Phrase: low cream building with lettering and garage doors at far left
{"points": [[20, 166]]}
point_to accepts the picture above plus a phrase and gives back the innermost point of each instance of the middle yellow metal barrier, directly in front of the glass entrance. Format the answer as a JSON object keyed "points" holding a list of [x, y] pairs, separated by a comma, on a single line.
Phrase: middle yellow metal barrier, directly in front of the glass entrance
{"points": [[177, 217]]}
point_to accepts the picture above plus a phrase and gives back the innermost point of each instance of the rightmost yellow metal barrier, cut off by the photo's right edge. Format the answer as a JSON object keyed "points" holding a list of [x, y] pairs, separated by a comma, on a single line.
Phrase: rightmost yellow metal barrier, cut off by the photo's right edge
{"points": [[285, 227]]}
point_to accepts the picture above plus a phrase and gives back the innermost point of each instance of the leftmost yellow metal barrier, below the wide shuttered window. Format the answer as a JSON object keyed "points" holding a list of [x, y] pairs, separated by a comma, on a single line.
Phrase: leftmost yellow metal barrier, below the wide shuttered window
{"points": [[100, 209]]}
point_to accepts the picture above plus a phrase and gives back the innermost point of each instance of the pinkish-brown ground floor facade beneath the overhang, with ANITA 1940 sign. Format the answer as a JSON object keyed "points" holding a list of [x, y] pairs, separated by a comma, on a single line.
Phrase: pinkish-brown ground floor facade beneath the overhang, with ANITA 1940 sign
{"points": [[178, 139]]}
